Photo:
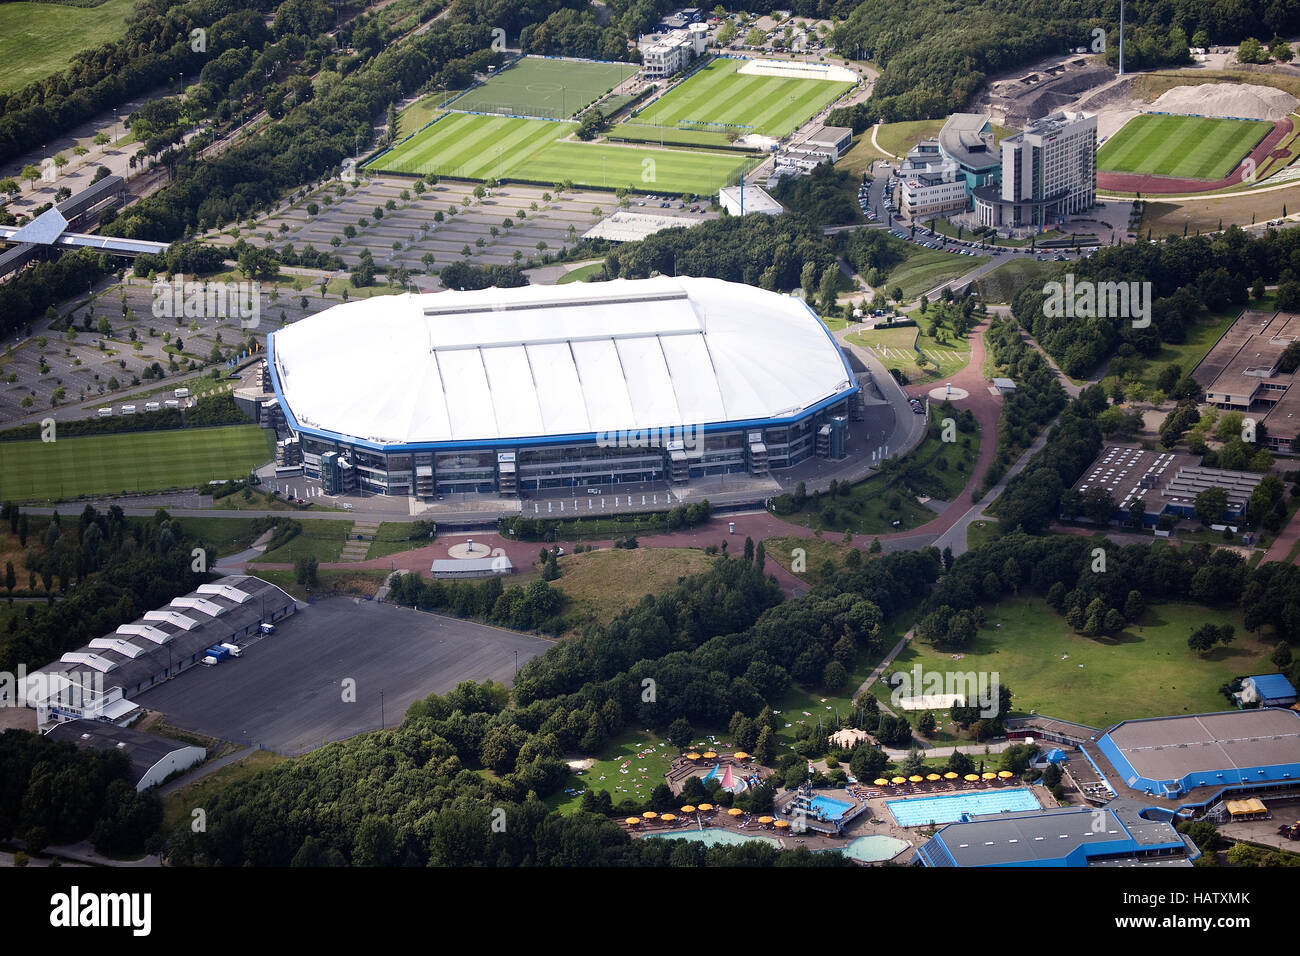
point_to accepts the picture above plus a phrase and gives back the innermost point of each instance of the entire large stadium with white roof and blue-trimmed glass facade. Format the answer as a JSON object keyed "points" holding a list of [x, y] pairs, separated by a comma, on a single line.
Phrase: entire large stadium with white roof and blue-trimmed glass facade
{"points": [[509, 391]]}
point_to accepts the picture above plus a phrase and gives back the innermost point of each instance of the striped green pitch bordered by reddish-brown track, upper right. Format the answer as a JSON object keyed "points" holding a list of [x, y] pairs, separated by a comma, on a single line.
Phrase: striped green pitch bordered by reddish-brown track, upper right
{"points": [[1186, 146]]}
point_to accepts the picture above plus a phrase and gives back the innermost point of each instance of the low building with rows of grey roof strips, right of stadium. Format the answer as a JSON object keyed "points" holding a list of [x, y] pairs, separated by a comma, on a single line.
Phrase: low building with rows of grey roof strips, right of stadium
{"points": [[1167, 483]]}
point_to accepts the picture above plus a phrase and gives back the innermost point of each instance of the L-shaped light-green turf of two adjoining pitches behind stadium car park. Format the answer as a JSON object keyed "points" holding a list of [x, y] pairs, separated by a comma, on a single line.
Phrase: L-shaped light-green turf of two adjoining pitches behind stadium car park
{"points": [[499, 148]]}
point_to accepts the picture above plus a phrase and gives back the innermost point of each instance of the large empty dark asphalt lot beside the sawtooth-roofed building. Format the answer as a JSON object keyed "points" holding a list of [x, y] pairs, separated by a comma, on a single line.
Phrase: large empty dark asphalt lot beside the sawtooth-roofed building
{"points": [[285, 694]]}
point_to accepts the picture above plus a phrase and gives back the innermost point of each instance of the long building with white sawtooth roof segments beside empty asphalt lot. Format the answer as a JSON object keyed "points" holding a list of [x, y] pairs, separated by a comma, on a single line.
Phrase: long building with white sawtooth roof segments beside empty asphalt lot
{"points": [[99, 680]]}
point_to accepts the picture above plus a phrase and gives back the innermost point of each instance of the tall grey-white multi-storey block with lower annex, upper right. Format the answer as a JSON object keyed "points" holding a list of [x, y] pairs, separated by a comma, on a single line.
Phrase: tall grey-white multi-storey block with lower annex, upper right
{"points": [[1050, 172]]}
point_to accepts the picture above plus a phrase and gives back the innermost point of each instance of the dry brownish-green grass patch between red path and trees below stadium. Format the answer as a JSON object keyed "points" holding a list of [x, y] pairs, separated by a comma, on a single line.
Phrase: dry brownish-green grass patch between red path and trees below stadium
{"points": [[600, 585]]}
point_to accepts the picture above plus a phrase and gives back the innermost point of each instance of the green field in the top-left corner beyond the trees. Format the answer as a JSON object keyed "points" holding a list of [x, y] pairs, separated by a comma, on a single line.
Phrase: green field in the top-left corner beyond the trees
{"points": [[40, 40]]}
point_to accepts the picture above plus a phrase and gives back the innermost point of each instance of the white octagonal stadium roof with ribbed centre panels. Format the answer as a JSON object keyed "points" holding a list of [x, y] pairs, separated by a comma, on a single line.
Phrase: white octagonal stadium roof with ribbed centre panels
{"points": [[541, 362]]}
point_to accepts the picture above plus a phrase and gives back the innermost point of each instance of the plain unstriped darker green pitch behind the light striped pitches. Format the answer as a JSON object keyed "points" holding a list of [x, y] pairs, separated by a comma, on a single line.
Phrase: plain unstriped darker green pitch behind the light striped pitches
{"points": [[547, 89]]}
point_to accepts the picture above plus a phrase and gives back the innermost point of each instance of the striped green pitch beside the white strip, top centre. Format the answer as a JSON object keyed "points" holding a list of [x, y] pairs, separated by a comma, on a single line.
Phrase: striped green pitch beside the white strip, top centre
{"points": [[718, 94]]}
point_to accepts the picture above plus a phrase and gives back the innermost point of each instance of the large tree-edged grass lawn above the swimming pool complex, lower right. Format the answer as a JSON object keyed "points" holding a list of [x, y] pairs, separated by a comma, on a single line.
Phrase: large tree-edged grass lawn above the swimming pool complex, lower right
{"points": [[1141, 673]]}
